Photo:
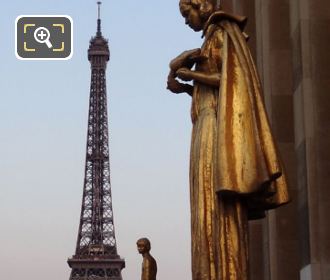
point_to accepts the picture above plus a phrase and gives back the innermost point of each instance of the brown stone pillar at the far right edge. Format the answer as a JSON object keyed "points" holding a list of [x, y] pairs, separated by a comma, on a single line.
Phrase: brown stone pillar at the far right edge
{"points": [[310, 33]]}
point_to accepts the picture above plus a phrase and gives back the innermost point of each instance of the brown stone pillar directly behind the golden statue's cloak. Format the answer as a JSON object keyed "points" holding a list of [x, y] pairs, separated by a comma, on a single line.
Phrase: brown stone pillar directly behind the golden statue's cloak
{"points": [[274, 56]]}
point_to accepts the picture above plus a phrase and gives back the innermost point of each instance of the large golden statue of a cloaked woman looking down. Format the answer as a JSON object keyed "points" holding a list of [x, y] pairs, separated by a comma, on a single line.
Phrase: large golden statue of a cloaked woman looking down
{"points": [[235, 172]]}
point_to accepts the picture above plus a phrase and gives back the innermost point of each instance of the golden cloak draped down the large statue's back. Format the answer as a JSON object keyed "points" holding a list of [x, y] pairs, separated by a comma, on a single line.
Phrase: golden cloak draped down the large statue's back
{"points": [[247, 161]]}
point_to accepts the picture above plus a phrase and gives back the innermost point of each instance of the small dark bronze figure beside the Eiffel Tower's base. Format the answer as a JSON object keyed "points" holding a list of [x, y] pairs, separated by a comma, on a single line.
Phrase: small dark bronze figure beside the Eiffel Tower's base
{"points": [[149, 265]]}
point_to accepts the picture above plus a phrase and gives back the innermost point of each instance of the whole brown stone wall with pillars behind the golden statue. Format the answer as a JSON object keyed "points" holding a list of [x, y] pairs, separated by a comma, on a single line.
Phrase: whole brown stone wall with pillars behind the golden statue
{"points": [[289, 43]]}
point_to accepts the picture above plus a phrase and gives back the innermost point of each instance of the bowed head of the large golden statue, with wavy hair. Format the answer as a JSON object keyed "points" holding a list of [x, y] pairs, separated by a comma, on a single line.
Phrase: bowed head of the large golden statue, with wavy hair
{"points": [[197, 12]]}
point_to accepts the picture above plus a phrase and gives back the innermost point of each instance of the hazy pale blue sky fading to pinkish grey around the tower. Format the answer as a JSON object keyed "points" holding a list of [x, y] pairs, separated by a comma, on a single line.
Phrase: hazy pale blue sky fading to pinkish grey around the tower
{"points": [[43, 122]]}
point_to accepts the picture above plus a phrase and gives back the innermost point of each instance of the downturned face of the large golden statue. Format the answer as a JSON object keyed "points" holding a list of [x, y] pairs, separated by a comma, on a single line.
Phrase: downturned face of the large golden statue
{"points": [[190, 11]]}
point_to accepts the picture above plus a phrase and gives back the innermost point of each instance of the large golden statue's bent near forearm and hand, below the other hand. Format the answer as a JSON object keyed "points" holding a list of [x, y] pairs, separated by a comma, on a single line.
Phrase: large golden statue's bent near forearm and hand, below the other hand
{"points": [[210, 79]]}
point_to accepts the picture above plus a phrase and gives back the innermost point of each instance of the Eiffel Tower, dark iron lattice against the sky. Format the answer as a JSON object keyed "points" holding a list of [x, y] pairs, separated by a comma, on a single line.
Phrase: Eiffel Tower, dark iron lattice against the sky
{"points": [[96, 254]]}
